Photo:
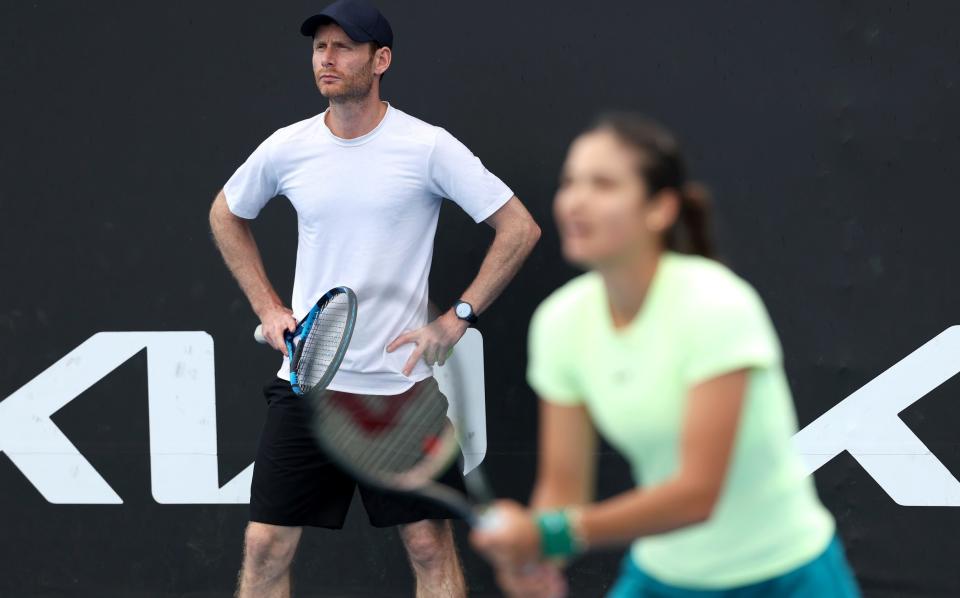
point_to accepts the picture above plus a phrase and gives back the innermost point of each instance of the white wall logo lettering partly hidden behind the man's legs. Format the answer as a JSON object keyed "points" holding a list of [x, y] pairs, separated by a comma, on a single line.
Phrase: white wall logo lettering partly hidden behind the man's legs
{"points": [[182, 413]]}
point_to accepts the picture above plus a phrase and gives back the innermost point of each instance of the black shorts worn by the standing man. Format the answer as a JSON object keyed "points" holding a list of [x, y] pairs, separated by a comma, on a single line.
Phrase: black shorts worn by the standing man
{"points": [[295, 484]]}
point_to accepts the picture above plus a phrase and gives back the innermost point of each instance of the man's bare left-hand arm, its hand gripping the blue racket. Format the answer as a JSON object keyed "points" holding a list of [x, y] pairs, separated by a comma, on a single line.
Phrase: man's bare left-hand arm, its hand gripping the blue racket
{"points": [[239, 249]]}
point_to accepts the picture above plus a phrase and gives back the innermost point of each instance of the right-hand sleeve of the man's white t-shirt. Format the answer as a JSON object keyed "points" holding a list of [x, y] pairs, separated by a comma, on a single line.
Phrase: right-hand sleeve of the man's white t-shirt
{"points": [[457, 174]]}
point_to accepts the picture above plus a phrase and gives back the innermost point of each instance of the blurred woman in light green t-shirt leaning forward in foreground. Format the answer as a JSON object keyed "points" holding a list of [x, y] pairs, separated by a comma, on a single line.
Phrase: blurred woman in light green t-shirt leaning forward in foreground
{"points": [[673, 359]]}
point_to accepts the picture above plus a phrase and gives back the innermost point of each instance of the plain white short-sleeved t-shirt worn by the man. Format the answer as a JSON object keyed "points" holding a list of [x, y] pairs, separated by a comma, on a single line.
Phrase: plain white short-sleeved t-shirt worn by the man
{"points": [[367, 211]]}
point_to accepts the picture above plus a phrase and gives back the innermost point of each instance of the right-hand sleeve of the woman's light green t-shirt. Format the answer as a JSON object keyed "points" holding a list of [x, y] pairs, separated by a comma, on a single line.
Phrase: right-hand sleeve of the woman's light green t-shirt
{"points": [[730, 330]]}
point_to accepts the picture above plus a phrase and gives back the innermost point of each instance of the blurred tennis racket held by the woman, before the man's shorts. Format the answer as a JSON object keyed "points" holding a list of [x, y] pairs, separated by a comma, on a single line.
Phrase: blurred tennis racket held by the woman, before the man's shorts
{"points": [[402, 443]]}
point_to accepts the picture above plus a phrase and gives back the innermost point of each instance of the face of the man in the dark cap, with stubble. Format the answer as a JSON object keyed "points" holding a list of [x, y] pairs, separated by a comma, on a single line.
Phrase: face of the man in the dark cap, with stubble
{"points": [[342, 68]]}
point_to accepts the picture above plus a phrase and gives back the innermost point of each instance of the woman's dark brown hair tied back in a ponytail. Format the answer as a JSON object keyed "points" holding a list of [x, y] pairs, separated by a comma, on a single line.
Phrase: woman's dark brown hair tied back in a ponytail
{"points": [[662, 167]]}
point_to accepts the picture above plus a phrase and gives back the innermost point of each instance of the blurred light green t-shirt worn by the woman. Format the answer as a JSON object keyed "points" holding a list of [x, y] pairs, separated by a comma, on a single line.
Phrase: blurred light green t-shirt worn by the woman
{"points": [[698, 321]]}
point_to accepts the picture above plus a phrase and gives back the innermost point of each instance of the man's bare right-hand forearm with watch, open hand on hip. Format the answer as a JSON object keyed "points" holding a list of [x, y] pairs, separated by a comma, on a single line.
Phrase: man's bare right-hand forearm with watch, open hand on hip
{"points": [[516, 235]]}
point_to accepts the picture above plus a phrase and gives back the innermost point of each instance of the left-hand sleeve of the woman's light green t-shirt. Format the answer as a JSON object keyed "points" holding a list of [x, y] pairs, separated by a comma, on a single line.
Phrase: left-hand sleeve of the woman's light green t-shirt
{"points": [[549, 359]]}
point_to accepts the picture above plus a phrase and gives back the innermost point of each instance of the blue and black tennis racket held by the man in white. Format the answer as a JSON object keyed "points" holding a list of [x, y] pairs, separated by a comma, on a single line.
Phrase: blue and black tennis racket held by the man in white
{"points": [[316, 347]]}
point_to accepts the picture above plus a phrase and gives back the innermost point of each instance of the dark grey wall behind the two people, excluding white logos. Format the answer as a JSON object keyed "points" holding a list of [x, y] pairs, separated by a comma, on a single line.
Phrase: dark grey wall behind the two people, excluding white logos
{"points": [[829, 133]]}
